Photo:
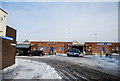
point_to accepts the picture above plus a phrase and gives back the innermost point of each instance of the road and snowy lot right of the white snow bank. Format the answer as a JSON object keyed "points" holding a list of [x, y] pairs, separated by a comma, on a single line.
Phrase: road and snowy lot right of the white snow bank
{"points": [[83, 68]]}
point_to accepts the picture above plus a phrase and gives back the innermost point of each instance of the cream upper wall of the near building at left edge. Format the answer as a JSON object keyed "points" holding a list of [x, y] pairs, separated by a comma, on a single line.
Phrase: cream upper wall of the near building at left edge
{"points": [[3, 20]]}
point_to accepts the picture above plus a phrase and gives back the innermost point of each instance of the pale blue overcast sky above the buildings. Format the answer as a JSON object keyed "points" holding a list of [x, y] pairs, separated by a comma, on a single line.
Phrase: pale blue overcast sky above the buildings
{"points": [[64, 20]]}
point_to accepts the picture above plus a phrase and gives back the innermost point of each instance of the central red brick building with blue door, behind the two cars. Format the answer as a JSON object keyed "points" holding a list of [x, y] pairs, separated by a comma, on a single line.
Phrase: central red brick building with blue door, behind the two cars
{"points": [[51, 46]]}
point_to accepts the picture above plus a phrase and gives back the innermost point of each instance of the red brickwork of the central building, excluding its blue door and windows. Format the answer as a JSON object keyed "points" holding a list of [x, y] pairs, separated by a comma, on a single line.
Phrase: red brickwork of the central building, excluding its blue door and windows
{"points": [[55, 46]]}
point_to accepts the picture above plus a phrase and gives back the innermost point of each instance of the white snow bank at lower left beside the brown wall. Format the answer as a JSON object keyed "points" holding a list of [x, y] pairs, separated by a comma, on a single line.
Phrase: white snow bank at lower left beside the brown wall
{"points": [[27, 69]]}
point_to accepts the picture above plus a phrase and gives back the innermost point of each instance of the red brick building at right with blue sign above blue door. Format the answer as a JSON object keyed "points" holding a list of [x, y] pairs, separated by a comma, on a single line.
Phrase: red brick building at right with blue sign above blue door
{"points": [[105, 47]]}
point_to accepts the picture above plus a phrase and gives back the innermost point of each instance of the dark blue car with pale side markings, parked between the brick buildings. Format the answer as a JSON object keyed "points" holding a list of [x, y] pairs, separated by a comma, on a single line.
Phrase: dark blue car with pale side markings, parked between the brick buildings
{"points": [[74, 52]]}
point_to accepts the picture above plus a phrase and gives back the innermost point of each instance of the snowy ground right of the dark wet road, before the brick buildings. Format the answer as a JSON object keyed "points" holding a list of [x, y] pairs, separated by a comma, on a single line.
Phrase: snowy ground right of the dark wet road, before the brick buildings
{"points": [[103, 64]]}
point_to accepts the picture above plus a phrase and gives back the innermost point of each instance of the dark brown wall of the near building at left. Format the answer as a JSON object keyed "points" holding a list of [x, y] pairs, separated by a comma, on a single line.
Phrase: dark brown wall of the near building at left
{"points": [[8, 50]]}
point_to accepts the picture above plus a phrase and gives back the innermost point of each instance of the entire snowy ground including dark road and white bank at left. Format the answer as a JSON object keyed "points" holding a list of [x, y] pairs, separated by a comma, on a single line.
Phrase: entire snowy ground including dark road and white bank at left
{"points": [[86, 67]]}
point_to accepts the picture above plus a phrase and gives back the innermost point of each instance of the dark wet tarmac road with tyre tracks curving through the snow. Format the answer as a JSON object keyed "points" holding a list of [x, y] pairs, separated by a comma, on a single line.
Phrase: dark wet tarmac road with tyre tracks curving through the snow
{"points": [[70, 71]]}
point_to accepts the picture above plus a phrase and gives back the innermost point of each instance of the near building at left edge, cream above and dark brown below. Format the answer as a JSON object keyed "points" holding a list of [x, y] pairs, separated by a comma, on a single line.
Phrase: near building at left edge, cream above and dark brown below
{"points": [[7, 42]]}
